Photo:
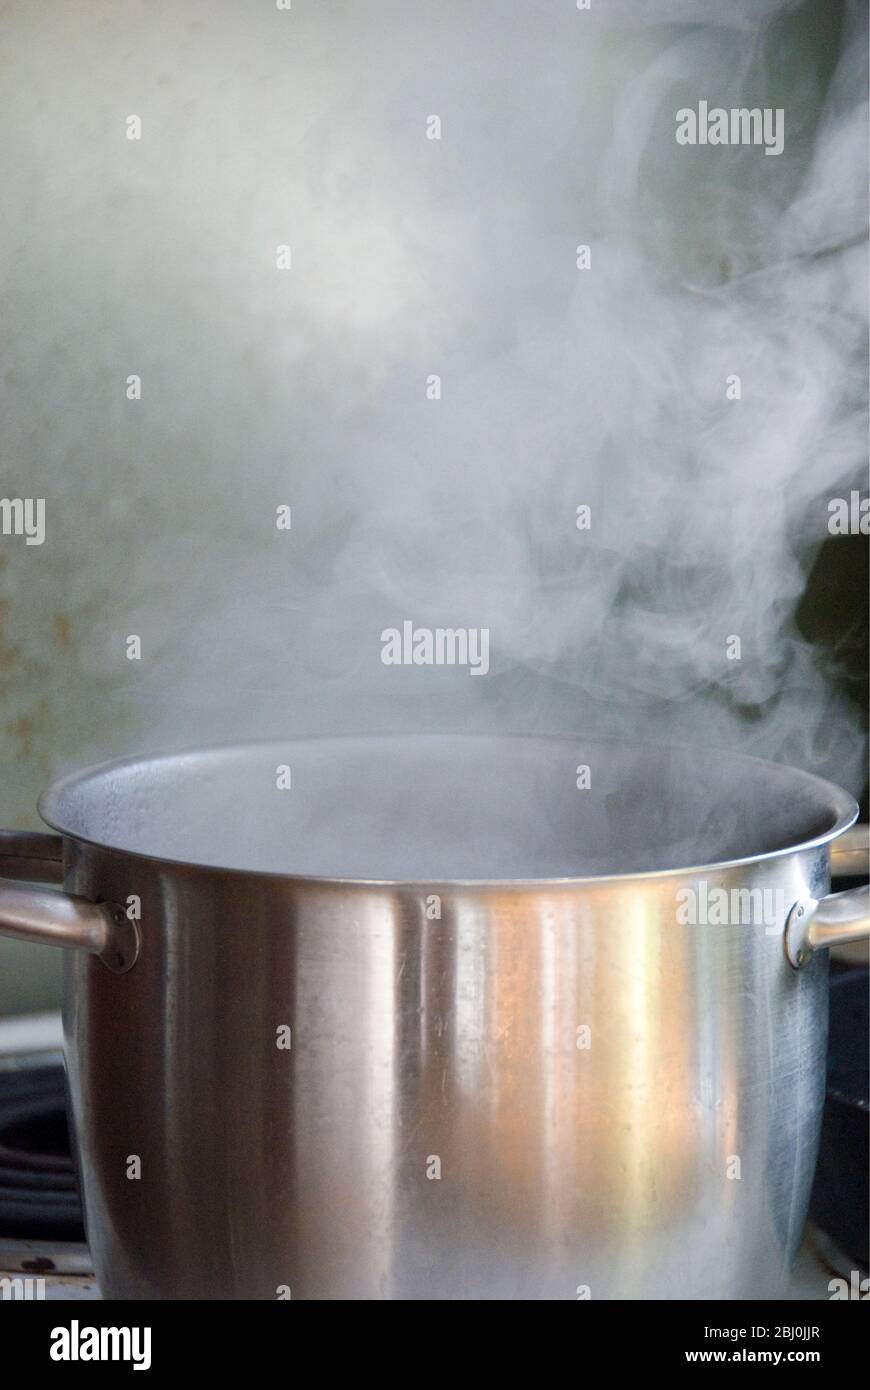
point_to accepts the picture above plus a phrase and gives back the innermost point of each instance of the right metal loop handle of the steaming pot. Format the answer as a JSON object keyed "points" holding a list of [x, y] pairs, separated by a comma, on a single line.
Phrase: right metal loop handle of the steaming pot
{"points": [[814, 925]]}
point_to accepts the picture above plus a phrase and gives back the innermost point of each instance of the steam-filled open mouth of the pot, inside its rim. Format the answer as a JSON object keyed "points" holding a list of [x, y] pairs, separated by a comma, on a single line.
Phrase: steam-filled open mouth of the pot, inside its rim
{"points": [[448, 808]]}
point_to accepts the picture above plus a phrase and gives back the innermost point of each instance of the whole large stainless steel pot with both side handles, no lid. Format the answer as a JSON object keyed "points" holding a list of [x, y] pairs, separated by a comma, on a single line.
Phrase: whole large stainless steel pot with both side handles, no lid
{"points": [[432, 1018]]}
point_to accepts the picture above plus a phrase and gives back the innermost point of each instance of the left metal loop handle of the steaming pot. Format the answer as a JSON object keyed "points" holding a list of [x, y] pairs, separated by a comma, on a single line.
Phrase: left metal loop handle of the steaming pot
{"points": [[59, 918]]}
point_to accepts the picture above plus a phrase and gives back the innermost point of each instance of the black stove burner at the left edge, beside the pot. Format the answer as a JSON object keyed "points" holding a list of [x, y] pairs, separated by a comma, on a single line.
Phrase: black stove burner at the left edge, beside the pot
{"points": [[40, 1197]]}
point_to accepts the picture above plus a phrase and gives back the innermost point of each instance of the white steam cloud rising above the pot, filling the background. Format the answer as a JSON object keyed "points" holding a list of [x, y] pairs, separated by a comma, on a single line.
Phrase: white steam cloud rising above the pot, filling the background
{"points": [[559, 387]]}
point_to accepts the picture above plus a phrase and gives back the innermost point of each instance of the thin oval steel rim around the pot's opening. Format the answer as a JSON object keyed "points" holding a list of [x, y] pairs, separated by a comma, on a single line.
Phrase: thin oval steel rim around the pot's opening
{"points": [[844, 807]]}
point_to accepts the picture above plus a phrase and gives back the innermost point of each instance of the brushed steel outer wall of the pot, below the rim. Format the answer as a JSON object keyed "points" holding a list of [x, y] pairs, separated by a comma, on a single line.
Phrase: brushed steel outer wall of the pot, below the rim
{"points": [[512, 1092]]}
